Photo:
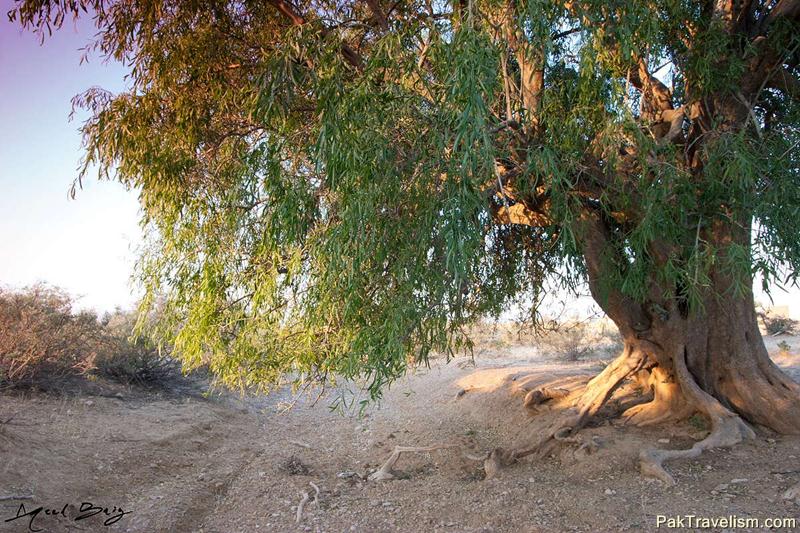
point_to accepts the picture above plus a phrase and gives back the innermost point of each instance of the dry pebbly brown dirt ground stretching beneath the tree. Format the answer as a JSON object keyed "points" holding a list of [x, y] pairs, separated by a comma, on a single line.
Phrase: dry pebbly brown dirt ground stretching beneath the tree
{"points": [[225, 464]]}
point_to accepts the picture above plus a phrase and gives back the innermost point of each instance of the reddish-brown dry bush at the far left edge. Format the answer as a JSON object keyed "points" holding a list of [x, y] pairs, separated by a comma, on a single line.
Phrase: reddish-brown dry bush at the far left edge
{"points": [[40, 334]]}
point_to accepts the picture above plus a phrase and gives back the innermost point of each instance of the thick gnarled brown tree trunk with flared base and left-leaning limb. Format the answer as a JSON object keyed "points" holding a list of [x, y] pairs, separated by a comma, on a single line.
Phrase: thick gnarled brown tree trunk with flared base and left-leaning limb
{"points": [[720, 345]]}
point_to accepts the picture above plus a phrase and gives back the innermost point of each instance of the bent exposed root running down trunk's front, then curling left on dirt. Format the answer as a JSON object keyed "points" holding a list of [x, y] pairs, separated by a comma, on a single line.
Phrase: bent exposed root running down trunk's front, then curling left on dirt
{"points": [[727, 428]]}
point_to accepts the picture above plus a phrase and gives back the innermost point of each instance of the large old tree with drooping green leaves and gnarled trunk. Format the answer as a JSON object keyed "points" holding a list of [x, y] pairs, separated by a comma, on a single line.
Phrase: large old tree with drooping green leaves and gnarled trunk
{"points": [[336, 188]]}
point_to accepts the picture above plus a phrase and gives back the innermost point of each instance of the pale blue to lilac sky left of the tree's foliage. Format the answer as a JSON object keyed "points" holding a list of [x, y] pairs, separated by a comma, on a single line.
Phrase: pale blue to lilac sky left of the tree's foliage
{"points": [[87, 245]]}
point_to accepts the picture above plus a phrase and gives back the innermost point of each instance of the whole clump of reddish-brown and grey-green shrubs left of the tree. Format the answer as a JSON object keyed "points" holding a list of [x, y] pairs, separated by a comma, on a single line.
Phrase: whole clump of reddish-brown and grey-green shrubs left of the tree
{"points": [[43, 338]]}
